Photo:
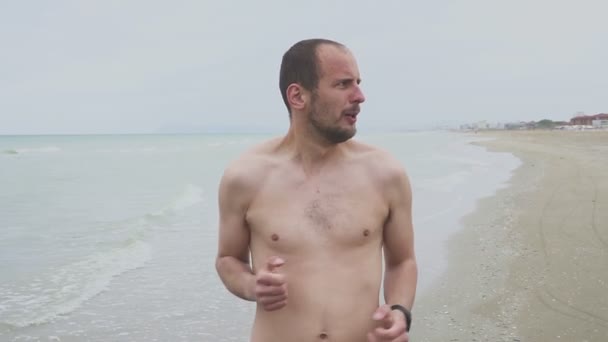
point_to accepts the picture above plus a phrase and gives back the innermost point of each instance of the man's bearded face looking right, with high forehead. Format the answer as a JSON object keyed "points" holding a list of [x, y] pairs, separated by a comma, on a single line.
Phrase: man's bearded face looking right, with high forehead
{"points": [[334, 105]]}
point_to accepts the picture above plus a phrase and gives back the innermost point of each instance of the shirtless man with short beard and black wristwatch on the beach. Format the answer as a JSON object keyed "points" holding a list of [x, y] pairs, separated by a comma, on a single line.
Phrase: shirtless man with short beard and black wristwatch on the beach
{"points": [[316, 211]]}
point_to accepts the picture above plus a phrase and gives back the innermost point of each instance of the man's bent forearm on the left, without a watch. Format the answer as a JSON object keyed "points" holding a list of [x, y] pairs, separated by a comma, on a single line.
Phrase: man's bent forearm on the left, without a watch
{"points": [[237, 276]]}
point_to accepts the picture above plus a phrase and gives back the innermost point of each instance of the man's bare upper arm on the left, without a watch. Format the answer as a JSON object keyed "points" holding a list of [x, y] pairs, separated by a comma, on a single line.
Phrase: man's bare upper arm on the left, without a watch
{"points": [[233, 198]]}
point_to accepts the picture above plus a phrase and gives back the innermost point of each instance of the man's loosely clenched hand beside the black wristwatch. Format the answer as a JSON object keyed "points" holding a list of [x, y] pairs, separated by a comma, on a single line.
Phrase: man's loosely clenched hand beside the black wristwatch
{"points": [[391, 326]]}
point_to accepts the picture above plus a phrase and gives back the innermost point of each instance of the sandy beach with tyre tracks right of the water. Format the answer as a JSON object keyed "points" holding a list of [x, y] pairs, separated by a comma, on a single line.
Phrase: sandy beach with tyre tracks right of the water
{"points": [[531, 263]]}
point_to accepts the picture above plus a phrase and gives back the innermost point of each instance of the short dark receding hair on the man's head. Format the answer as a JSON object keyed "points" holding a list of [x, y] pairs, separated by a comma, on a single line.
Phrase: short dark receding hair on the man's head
{"points": [[301, 65]]}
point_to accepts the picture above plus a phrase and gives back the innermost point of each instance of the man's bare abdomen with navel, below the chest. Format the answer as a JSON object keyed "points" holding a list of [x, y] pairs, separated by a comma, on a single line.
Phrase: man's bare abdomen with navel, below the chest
{"points": [[332, 297]]}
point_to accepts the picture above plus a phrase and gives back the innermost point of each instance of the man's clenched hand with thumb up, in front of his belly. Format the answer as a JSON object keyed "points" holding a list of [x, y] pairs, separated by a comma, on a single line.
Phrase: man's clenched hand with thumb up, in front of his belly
{"points": [[271, 286]]}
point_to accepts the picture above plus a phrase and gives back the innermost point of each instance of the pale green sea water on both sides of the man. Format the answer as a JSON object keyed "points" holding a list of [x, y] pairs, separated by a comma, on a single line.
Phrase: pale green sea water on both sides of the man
{"points": [[113, 237]]}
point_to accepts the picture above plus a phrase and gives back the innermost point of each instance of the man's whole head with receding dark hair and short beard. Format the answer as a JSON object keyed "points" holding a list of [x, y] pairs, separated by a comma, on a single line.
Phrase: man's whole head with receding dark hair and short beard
{"points": [[319, 80]]}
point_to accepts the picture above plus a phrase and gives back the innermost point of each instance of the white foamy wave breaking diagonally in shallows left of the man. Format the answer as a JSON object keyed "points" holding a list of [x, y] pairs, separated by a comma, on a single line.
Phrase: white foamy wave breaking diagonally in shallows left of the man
{"points": [[58, 292]]}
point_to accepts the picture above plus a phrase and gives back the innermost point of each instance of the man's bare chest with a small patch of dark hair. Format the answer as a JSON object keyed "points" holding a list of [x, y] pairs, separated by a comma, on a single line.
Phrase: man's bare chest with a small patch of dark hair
{"points": [[335, 211]]}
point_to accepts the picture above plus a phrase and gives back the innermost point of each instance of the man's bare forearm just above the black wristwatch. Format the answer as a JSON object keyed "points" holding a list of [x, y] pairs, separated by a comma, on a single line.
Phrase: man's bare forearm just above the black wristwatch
{"points": [[400, 283]]}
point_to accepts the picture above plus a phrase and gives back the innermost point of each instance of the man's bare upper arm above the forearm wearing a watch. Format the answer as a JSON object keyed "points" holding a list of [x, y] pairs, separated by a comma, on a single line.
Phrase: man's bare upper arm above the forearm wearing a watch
{"points": [[398, 229]]}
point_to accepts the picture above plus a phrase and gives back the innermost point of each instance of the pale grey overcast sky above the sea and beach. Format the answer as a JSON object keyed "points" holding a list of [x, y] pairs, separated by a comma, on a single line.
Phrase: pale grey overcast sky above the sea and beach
{"points": [[159, 66]]}
